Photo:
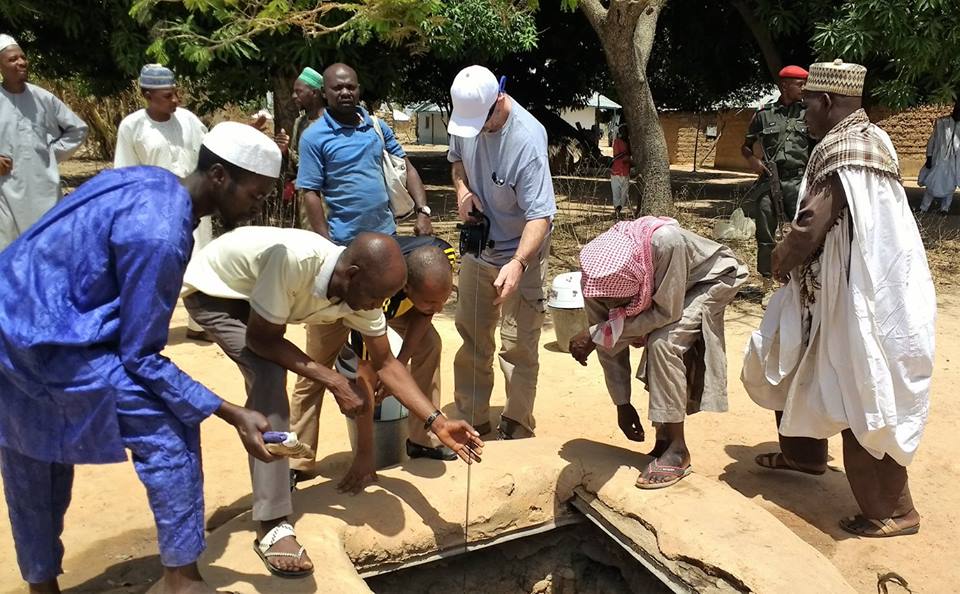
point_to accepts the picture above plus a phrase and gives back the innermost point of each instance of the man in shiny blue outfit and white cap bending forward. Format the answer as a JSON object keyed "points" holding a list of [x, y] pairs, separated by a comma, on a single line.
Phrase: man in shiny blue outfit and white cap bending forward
{"points": [[86, 296]]}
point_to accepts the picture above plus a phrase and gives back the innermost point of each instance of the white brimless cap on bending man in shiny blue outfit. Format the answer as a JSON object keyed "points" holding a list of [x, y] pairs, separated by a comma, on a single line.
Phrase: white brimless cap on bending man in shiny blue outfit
{"points": [[246, 147]]}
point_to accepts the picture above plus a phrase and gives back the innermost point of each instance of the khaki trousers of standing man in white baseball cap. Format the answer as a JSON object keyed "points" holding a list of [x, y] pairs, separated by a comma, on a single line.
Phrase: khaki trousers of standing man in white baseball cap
{"points": [[520, 318]]}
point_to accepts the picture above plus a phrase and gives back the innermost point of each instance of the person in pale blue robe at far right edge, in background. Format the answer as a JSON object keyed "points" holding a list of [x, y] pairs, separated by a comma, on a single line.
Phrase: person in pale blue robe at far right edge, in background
{"points": [[941, 172]]}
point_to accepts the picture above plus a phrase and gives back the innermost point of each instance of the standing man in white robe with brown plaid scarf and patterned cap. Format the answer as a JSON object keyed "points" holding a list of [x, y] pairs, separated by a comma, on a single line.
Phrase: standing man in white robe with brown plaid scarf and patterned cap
{"points": [[846, 346]]}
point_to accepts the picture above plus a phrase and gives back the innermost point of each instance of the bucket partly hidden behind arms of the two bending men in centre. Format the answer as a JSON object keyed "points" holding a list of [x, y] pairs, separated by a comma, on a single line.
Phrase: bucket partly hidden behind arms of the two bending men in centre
{"points": [[390, 430]]}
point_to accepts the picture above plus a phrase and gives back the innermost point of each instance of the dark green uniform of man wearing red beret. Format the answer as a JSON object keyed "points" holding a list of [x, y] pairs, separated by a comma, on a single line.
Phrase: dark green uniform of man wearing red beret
{"points": [[784, 140]]}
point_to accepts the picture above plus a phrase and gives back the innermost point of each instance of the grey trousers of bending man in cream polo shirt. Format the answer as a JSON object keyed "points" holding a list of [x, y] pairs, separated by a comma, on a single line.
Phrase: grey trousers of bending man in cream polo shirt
{"points": [[226, 322]]}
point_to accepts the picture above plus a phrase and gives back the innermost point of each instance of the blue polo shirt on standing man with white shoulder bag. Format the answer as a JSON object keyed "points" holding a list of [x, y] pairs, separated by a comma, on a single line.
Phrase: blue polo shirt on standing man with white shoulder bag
{"points": [[343, 163]]}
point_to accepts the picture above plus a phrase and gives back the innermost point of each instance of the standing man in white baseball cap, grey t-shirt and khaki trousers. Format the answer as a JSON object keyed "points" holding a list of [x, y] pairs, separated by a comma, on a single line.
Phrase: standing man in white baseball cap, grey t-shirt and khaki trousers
{"points": [[501, 174]]}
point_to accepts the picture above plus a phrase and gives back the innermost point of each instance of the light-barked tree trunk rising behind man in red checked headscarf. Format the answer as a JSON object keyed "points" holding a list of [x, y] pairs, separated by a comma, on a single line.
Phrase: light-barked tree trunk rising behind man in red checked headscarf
{"points": [[627, 30]]}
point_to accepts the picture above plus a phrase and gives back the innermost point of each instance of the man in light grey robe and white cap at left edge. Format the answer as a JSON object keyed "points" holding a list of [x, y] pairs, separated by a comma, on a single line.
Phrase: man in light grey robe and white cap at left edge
{"points": [[37, 132]]}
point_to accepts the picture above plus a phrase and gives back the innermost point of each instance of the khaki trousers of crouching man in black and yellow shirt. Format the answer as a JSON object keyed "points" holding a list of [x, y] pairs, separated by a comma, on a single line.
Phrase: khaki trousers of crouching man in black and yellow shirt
{"points": [[324, 343]]}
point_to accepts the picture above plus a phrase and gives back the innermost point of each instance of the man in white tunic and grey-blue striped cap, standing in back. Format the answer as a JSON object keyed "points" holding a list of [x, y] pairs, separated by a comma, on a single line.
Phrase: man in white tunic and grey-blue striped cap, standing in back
{"points": [[164, 135]]}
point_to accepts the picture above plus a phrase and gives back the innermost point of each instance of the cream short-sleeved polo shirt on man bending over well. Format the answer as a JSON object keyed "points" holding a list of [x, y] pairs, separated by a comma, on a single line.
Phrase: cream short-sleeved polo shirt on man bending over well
{"points": [[283, 273]]}
